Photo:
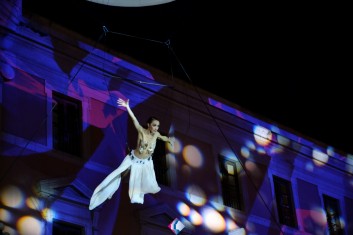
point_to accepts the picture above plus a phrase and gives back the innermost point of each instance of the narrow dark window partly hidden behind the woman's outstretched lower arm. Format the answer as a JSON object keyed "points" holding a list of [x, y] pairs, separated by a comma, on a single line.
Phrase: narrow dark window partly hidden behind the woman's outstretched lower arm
{"points": [[160, 163]]}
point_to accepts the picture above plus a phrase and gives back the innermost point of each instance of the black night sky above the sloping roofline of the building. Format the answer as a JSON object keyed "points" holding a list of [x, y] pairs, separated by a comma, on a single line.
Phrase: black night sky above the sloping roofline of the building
{"points": [[286, 63]]}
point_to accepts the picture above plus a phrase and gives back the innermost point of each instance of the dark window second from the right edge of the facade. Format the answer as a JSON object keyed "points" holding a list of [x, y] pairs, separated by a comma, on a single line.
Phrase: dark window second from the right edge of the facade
{"points": [[284, 200]]}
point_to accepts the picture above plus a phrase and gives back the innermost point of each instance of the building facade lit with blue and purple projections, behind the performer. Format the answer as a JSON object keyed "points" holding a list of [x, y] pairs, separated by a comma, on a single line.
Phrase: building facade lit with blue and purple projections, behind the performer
{"points": [[229, 173]]}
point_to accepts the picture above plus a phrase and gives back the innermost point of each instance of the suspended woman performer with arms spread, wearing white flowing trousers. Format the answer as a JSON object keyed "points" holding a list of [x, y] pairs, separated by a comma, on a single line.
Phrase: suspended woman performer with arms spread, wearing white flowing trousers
{"points": [[138, 161]]}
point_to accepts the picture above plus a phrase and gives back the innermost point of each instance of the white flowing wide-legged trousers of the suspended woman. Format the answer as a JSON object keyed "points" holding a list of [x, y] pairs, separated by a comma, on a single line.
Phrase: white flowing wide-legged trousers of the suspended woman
{"points": [[142, 181]]}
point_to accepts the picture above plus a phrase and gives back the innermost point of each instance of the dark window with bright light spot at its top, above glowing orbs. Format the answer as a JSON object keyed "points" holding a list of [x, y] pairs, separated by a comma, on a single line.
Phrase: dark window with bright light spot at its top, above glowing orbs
{"points": [[231, 192]]}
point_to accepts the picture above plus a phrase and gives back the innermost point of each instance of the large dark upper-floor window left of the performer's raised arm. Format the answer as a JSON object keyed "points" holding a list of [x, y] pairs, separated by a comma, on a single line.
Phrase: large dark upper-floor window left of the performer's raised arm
{"points": [[67, 124]]}
